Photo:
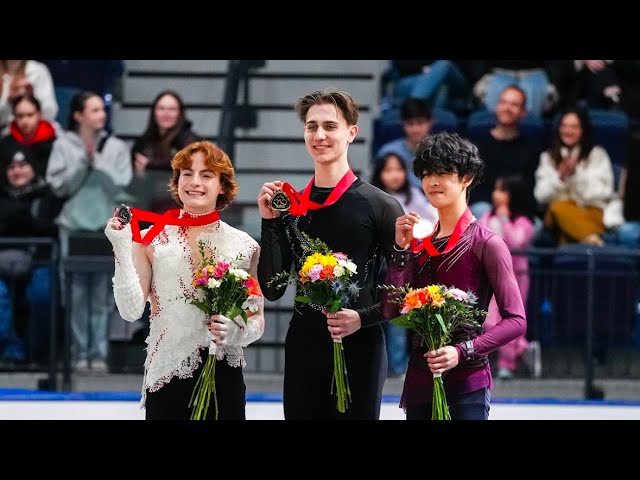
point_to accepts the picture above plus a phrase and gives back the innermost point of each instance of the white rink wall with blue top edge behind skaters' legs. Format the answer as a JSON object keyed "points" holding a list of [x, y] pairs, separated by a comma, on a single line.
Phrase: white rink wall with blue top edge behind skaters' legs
{"points": [[19, 404]]}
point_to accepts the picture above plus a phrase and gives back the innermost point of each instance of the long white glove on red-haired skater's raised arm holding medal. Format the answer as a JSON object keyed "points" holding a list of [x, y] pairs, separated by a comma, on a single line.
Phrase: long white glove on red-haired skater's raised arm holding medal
{"points": [[126, 282]]}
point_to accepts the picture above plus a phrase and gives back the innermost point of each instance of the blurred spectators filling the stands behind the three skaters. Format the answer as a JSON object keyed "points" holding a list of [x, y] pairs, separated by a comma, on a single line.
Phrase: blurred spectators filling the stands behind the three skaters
{"points": [[560, 140]]}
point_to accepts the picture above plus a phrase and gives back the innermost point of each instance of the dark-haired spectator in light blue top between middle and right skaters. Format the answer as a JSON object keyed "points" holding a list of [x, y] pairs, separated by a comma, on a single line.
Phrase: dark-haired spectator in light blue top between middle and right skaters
{"points": [[417, 121]]}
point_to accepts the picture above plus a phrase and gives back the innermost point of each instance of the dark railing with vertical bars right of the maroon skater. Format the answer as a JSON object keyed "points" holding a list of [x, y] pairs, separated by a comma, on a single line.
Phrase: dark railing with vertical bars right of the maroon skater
{"points": [[583, 309]]}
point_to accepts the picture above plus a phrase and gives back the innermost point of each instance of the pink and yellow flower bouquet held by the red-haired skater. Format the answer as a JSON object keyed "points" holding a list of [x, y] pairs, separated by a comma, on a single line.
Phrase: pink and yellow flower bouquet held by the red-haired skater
{"points": [[224, 290]]}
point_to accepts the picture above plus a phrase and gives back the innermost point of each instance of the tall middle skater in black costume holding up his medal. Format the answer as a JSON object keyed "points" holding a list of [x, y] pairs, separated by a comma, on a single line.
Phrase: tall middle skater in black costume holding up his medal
{"points": [[353, 217]]}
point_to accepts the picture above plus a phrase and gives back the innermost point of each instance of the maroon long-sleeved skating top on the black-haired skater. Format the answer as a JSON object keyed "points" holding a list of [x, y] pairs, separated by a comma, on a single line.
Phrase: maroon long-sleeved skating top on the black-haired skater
{"points": [[480, 262]]}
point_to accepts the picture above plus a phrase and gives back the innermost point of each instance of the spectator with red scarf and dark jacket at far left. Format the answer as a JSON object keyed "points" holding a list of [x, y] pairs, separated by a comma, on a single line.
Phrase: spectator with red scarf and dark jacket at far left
{"points": [[28, 131]]}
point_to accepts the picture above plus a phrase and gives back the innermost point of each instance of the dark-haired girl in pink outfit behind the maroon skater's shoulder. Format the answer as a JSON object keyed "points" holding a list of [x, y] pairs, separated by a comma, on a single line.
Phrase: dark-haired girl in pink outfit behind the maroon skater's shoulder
{"points": [[511, 217]]}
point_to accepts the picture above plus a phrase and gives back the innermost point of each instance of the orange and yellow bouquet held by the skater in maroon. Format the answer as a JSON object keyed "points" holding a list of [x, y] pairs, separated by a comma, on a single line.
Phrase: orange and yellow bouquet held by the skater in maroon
{"points": [[434, 312]]}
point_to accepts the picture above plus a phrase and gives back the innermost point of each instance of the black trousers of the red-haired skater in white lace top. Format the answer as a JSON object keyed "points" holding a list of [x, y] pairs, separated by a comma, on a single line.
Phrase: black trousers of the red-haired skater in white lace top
{"points": [[171, 402]]}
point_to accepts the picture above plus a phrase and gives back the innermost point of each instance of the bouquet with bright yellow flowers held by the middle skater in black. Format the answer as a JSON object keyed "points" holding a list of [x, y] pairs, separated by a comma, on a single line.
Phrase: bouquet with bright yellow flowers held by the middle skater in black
{"points": [[324, 282]]}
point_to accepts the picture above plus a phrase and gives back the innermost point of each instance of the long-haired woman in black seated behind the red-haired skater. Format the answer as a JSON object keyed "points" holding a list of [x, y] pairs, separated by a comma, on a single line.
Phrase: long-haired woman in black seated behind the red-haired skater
{"points": [[168, 131]]}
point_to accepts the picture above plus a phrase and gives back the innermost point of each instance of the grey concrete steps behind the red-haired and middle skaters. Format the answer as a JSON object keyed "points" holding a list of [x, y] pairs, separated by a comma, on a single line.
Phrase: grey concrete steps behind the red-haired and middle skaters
{"points": [[275, 148]]}
